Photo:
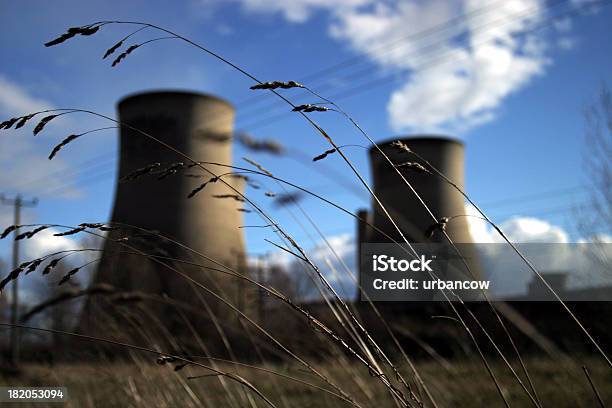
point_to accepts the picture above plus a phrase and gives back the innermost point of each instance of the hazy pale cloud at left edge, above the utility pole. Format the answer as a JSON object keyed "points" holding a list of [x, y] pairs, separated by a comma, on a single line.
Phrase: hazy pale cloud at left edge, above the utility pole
{"points": [[24, 166]]}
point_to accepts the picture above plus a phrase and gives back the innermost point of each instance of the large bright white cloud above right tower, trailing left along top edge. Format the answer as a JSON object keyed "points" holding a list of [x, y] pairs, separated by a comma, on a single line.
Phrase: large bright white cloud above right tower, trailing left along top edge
{"points": [[455, 78]]}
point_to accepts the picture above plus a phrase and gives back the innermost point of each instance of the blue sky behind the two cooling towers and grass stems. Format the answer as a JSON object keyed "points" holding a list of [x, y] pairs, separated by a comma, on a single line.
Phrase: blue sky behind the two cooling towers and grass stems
{"points": [[512, 93]]}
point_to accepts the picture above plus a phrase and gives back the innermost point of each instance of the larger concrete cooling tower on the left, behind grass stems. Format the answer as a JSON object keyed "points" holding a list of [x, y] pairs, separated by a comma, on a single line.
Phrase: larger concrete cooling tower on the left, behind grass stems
{"points": [[200, 126]]}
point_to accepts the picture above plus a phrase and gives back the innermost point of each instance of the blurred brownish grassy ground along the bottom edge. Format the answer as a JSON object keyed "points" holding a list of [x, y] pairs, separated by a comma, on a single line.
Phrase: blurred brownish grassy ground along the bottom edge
{"points": [[464, 384]]}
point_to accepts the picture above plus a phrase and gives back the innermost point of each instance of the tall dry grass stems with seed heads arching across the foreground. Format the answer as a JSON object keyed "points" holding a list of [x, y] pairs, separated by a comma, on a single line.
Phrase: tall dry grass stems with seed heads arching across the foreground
{"points": [[355, 369]]}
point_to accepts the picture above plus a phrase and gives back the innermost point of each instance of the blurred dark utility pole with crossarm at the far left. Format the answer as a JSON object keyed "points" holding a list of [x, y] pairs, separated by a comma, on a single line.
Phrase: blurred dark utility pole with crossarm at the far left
{"points": [[18, 202]]}
